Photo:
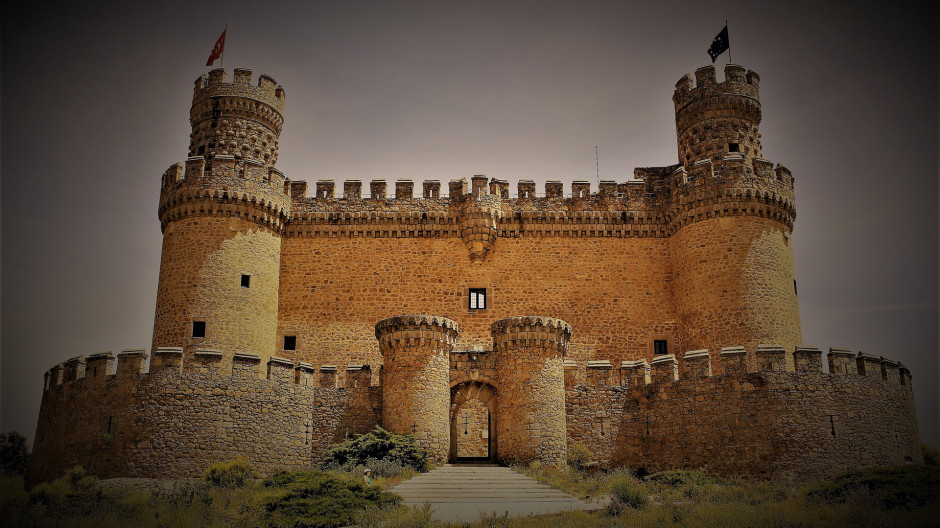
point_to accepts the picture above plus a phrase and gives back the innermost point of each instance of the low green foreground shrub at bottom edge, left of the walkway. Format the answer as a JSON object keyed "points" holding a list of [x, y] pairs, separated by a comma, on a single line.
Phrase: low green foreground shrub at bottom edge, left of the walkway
{"points": [[315, 499]]}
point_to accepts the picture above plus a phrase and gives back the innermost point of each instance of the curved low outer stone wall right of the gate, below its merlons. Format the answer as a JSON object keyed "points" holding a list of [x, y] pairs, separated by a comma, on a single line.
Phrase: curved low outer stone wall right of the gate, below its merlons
{"points": [[761, 424]]}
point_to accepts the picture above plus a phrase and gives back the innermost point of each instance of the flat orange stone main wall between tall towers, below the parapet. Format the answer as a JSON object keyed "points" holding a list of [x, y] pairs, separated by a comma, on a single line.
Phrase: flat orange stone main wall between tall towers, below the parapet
{"points": [[615, 291]]}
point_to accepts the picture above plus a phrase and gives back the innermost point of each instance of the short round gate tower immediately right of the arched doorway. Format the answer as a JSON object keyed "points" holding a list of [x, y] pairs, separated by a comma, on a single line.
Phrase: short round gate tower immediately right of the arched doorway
{"points": [[530, 353]]}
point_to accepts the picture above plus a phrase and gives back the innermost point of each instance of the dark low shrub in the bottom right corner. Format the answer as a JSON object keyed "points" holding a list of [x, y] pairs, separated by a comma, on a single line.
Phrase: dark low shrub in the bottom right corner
{"points": [[900, 487]]}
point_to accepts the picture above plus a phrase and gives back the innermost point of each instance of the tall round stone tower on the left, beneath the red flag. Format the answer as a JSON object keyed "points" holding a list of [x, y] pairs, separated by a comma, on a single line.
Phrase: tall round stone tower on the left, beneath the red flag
{"points": [[222, 215]]}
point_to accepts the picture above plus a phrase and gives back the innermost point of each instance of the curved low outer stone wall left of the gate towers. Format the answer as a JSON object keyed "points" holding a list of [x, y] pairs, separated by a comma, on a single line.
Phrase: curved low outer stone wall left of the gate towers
{"points": [[174, 423]]}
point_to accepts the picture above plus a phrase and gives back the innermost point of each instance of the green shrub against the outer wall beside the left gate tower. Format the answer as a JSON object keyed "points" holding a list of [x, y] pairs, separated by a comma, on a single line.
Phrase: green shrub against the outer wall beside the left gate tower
{"points": [[378, 444]]}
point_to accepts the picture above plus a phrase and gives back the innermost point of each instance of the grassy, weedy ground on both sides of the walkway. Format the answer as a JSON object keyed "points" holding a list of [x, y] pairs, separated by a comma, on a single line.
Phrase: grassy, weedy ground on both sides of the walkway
{"points": [[903, 497]]}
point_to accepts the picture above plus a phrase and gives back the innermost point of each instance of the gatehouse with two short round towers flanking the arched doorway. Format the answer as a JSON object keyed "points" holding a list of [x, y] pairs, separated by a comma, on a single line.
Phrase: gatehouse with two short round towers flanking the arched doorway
{"points": [[450, 399]]}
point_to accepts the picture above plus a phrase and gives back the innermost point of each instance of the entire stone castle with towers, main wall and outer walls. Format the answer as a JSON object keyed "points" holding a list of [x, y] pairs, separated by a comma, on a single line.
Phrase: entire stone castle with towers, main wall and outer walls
{"points": [[655, 321]]}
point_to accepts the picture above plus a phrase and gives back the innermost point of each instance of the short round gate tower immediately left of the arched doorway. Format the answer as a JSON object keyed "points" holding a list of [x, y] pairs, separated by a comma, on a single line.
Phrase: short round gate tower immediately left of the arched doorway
{"points": [[416, 378]]}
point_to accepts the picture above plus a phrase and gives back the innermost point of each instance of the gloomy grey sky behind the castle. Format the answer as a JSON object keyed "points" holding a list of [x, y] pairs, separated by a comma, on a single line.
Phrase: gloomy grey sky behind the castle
{"points": [[95, 102]]}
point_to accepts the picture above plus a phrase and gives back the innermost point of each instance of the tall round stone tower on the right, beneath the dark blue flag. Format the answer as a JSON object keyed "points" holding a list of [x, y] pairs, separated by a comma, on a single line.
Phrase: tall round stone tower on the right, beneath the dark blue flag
{"points": [[732, 216]]}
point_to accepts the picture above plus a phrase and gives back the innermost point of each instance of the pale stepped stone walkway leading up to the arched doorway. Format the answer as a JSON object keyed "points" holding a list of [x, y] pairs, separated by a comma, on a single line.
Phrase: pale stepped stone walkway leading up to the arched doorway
{"points": [[461, 493]]}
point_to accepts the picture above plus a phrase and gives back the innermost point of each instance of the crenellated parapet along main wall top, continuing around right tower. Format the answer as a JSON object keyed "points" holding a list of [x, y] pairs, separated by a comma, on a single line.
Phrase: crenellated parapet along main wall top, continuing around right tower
{"points": [[664, 201]]}
